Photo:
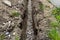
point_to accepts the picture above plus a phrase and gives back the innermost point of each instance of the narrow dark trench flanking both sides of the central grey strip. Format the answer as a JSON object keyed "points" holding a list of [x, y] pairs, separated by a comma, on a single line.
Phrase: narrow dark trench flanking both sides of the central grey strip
{"points": [[34, 24]]}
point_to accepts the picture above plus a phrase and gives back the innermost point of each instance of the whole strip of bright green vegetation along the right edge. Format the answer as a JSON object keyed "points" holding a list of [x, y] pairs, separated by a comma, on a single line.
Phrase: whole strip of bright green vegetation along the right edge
{"points": [[54, 33]]}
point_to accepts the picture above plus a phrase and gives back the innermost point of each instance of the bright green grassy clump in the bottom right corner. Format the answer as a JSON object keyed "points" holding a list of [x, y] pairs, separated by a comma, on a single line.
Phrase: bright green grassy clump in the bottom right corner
{"points": [[53, 34]]}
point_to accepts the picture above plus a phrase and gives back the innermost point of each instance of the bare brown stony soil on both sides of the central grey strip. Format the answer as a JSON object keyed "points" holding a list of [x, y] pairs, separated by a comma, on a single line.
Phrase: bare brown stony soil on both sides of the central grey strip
{"points": [[16, 26]]}
